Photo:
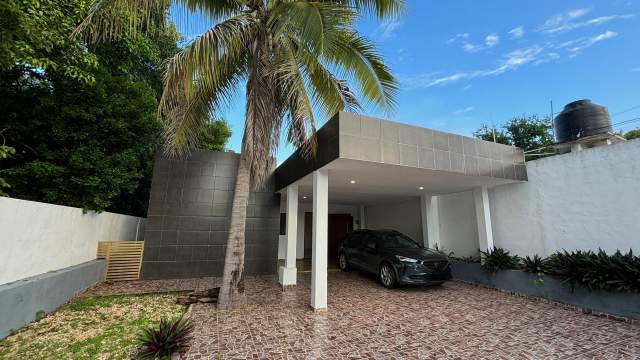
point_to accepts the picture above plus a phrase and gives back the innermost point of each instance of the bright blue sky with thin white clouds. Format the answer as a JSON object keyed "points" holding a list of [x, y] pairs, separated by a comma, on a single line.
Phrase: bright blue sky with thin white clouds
{"points": [[467, 62]]}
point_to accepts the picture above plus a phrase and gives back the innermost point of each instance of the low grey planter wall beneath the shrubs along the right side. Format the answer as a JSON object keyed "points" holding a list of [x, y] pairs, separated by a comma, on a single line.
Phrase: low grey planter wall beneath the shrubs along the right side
{"points": [[618, 304]]}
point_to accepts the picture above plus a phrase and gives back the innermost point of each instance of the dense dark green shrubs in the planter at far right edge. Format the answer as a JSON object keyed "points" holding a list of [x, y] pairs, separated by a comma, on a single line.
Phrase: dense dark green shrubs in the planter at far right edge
{"points": [[597, 271]]}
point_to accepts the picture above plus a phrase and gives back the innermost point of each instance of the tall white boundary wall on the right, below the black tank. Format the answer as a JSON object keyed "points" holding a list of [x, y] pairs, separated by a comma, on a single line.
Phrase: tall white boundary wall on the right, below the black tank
{"points": [[581, 200]]}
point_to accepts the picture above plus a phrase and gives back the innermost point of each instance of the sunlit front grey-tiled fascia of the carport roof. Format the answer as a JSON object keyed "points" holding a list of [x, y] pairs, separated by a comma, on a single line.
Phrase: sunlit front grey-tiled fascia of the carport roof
{"points": [[371, 139]]}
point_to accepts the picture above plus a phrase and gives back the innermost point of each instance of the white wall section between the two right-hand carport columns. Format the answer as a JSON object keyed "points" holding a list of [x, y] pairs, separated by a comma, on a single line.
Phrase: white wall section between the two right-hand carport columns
{"points": [[458, 230]]}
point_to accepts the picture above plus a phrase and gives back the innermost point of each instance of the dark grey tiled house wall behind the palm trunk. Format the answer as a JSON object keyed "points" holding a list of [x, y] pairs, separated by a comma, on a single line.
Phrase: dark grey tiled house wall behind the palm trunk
{"points": [[189, 214]]}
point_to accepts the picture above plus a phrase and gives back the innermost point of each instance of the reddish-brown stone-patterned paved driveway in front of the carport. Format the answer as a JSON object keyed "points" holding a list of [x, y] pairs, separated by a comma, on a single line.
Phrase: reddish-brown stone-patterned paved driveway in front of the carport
{"points": [[364, 320]]}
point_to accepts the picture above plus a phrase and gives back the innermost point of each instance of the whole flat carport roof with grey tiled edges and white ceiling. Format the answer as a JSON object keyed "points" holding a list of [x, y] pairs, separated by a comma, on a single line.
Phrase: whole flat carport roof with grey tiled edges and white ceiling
{"points": [[386, 153]]}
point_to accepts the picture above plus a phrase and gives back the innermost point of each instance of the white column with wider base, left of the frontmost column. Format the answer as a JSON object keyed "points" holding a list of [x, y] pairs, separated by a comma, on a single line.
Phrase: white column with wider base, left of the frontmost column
{"points": [[287, 274]]}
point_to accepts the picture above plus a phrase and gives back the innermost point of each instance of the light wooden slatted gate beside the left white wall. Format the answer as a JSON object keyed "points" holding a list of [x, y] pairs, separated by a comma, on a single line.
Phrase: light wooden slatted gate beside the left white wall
{"points": [[123, 260]]}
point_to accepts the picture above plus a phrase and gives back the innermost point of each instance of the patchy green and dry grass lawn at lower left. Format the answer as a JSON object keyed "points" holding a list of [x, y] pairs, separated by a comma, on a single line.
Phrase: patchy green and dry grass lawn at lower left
{"points": [[104, 327]]}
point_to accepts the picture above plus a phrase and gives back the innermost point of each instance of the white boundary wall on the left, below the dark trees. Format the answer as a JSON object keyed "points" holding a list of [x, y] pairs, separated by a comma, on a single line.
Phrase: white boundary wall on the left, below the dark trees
{"points": [[37, 237]]}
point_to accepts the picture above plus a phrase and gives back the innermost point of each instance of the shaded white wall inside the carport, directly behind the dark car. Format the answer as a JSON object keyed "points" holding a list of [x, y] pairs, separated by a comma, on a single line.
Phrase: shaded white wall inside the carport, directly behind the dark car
{"points": [[405, 217]]}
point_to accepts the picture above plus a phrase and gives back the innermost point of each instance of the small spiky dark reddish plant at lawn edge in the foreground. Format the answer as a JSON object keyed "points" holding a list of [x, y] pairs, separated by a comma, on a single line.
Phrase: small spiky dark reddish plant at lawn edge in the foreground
{"points": [[166, 339]]}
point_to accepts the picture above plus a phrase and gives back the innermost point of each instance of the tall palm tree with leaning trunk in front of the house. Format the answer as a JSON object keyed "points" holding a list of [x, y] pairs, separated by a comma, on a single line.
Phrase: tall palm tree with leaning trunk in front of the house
{"points": [[296, 60]]}
